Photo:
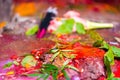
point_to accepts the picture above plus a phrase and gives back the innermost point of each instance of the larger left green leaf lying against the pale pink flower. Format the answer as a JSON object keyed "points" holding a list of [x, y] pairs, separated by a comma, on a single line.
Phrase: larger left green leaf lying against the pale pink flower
{"points": [[66, 27]]}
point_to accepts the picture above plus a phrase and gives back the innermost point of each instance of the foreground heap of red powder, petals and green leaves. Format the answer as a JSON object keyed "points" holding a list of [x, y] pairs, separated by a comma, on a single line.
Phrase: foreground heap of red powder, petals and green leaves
{"points": [[68, 59]]}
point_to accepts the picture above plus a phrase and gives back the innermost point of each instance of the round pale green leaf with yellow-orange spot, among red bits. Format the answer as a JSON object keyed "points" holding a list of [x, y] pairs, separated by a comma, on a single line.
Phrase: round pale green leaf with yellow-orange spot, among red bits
{"points": [[30, 60]]}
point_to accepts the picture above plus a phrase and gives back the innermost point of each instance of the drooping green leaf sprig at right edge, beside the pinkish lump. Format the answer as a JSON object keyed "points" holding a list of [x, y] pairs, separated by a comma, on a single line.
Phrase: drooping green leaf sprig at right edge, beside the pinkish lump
{"points": [[109, 59]]}
